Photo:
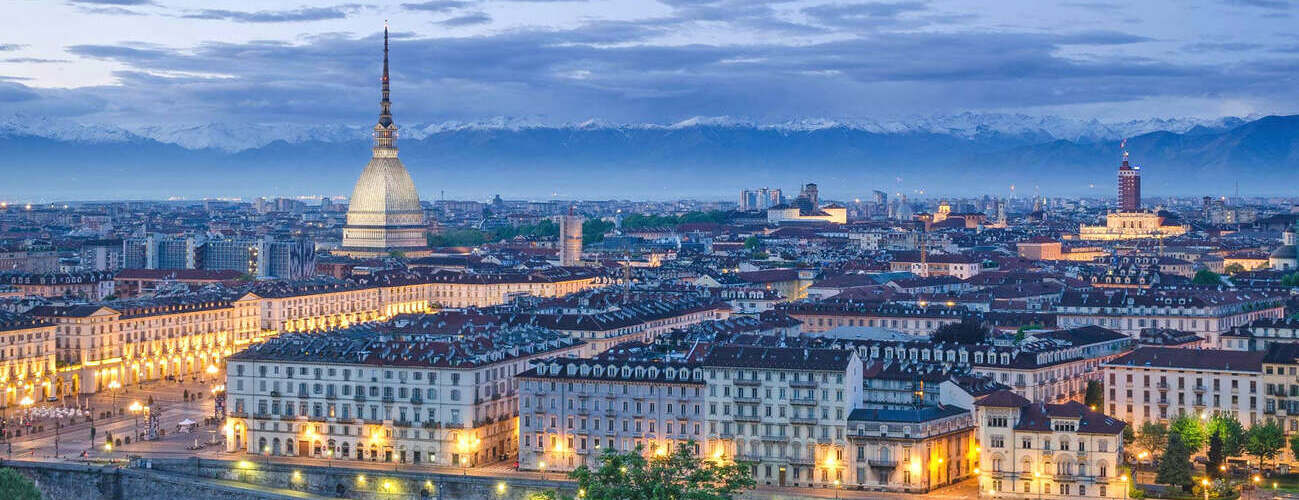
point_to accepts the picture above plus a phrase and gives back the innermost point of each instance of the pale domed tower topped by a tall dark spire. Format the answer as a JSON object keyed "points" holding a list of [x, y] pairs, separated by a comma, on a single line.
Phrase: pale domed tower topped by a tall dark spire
{"points": [[384, 215]]}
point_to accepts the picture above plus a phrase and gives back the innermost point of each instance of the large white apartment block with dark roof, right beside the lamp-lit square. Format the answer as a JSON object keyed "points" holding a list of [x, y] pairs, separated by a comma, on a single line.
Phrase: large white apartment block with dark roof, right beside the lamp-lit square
{"points": [[364, 395]]}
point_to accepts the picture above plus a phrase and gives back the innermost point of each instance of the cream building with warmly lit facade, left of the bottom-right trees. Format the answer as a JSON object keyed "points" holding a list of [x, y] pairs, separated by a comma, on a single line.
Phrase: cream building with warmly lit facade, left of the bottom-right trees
{"points": [[1049, 451]]}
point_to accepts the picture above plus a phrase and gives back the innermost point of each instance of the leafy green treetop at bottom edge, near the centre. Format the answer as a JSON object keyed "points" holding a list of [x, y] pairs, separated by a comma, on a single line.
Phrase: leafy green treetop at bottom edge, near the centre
{"points": [[674, 476]]}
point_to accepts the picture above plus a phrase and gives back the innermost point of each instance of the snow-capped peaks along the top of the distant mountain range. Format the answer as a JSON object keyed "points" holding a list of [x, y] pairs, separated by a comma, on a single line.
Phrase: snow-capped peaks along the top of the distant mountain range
{"points": [[240, 137]]}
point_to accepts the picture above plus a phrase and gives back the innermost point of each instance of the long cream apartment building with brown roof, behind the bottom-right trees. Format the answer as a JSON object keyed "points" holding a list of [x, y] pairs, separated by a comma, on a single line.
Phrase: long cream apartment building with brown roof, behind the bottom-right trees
{"points": [[1161, 384]]}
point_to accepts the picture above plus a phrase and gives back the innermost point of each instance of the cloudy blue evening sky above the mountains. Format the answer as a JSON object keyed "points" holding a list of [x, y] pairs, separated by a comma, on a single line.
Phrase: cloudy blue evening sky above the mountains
{"points": [[140, 63]]}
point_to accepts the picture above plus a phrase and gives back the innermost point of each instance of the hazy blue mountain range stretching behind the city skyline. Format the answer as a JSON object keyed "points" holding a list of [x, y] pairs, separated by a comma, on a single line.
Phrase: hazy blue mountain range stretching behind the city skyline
{"points": [[702, 158]]}
